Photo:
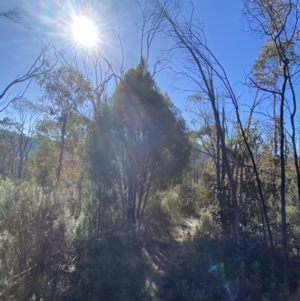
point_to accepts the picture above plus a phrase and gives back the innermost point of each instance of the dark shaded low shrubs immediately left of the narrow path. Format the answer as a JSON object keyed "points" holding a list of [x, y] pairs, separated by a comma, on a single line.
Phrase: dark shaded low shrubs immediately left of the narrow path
{"points": [[108, 269]]}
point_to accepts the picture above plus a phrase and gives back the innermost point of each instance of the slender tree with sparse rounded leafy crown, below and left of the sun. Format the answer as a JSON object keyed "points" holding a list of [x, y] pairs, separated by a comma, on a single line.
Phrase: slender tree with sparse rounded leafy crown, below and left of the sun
{"points": [[64, 91]]}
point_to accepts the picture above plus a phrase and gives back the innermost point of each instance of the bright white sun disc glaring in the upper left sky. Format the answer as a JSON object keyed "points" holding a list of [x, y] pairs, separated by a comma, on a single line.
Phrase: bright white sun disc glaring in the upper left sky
{"points": [[84, 31]]}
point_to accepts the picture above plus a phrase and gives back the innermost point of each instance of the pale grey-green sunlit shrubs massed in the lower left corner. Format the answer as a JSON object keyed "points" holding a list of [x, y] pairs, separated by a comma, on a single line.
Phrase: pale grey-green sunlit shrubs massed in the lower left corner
{"points": [[36, 230]]}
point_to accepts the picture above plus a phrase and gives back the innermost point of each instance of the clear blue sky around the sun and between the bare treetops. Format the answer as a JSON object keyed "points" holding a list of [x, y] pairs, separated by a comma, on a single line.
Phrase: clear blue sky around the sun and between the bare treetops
{"points": [[226, 32]]}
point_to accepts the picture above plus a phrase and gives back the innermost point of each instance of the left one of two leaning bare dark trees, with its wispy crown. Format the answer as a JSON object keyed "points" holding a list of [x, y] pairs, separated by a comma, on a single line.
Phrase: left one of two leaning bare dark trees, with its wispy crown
{"points": [[193, 60]]}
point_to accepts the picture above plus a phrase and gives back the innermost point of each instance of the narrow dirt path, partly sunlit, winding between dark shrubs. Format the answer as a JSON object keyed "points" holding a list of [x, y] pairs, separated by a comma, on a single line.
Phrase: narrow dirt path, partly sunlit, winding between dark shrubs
{"points": [[159, 252]]}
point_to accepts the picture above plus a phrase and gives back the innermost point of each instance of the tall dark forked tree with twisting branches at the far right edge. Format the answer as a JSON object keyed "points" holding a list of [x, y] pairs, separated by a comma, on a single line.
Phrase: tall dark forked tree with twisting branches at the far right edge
{"points": [[277, 21]]}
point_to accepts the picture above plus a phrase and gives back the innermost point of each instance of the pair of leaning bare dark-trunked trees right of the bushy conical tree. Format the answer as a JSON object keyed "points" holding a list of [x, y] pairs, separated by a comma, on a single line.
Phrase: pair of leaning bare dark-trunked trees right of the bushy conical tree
{"points": [[194, 61]]}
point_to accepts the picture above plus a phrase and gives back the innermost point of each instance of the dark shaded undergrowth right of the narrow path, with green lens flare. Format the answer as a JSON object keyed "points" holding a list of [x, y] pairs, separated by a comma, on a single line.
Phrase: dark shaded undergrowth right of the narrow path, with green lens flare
{"points": [[206, 268]]}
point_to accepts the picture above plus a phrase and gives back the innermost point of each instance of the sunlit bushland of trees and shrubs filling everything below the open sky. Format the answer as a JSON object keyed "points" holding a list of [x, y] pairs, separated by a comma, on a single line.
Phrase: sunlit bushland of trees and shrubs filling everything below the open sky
{"points": [[114, 196]]}
